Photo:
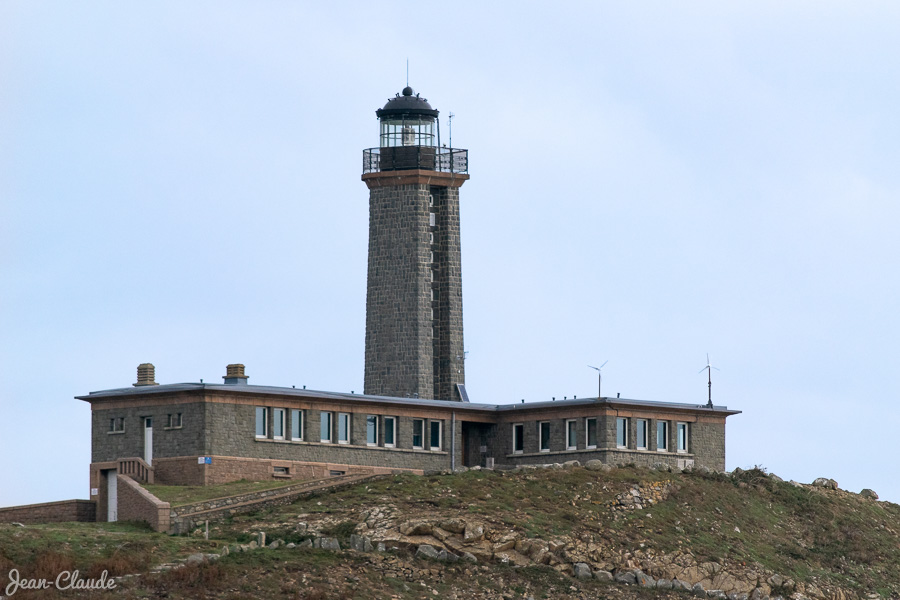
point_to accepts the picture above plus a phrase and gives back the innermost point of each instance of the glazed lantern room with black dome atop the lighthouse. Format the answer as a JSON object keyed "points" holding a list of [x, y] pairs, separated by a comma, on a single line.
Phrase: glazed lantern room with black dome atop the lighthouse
{"points": [[407, 120]]}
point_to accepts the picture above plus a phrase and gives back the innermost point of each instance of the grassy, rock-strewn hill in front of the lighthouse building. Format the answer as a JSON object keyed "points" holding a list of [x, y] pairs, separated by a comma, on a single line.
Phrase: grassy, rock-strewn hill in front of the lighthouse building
{"points": [[742, 532]]}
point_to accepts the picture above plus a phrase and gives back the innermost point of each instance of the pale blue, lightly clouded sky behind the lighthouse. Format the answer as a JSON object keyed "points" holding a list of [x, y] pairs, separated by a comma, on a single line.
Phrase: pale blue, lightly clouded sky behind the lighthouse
{"points": [[180, 184]]}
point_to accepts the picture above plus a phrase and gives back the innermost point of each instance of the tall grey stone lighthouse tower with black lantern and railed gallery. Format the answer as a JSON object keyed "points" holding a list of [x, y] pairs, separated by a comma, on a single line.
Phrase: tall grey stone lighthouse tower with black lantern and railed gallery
{"points": [[414, 325]]}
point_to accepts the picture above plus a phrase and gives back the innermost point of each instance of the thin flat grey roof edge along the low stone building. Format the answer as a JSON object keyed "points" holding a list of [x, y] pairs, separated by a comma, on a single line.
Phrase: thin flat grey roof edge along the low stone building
{"points": [[363, 398]]}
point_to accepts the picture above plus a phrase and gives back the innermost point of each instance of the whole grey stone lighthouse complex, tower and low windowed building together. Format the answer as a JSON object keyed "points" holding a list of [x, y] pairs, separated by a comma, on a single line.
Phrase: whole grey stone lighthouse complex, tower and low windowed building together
{"points": [[415, 414]]}
